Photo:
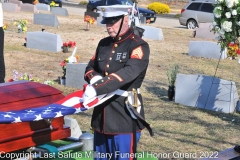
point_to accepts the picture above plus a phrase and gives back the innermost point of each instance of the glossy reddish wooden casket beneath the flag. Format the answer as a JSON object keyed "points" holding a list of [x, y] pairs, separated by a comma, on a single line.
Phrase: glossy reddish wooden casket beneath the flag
{"points": [[19, 95]]}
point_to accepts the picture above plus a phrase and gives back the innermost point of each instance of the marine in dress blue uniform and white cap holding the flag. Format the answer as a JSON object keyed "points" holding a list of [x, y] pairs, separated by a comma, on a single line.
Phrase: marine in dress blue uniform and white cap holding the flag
{"points": [[119, 62]]}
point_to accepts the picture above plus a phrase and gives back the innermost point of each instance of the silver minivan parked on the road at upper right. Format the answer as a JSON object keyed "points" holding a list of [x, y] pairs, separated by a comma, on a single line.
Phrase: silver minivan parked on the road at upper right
{"points": [[196, 12]]}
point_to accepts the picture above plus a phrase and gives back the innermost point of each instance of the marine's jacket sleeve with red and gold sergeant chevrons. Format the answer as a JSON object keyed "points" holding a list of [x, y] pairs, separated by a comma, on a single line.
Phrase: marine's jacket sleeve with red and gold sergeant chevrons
{"points": [[138, 62]]}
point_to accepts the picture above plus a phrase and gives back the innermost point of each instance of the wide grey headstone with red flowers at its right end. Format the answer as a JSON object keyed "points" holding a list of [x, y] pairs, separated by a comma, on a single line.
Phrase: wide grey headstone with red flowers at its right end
{"points": [[44, 41]]}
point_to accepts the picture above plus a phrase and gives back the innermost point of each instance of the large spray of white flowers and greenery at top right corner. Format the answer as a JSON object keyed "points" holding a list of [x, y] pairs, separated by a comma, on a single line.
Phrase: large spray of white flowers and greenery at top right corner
{"points": [[226, 23]]}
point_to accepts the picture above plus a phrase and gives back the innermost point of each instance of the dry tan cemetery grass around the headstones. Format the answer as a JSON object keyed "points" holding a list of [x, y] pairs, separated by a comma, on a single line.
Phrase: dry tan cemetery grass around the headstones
{"points": [[177, 128]]}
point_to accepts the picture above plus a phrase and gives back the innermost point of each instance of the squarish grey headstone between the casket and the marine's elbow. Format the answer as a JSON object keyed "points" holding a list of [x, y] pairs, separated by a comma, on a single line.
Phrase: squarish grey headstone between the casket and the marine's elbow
{"points": [[75, 75]]}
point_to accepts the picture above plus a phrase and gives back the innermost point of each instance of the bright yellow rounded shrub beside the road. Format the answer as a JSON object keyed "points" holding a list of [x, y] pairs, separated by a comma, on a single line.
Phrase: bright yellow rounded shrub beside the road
{"points": [[158, 7]]}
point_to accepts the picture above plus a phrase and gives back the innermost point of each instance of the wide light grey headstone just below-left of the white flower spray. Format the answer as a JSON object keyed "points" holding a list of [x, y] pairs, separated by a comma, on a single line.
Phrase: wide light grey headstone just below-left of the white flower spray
{"points": [[206, 49]]}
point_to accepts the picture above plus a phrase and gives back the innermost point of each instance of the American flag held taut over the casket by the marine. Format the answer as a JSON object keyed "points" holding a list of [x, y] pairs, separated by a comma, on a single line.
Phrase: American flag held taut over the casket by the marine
{"points": [[68, 105]]}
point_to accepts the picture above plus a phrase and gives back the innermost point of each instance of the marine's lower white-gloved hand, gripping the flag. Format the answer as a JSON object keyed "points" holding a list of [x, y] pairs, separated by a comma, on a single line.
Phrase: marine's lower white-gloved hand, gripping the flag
{"points": [[89, 94]]}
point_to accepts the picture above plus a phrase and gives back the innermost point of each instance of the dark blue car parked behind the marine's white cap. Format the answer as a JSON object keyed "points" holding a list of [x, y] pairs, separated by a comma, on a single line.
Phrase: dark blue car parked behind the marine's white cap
{"points": [[93, 4]]}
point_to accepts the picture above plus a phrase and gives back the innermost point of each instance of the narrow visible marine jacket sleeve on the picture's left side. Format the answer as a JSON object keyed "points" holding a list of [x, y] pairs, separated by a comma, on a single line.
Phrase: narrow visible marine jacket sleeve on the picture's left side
{"points": [[90, 71]]}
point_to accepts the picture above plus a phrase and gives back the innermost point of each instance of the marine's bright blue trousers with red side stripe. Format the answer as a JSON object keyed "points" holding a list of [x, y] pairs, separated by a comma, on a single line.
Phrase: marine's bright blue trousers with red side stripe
{"points": [[114, 147]]}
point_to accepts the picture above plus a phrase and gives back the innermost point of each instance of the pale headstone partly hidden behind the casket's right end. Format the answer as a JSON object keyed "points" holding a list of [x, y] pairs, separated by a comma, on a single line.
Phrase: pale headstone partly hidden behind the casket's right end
{"points": [[73, 125]]}
